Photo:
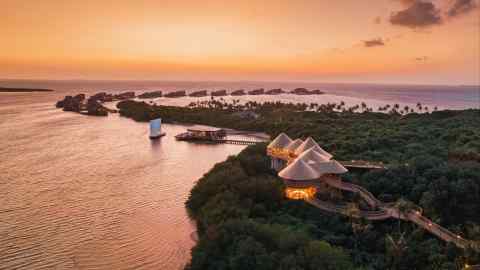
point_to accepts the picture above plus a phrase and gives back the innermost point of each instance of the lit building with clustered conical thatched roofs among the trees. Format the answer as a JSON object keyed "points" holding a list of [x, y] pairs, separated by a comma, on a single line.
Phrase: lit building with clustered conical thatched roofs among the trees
{"points": [[302, 165]]}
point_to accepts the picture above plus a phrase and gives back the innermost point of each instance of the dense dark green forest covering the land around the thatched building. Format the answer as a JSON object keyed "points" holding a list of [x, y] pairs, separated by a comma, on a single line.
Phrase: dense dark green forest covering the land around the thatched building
{"points": [[245, 222]]}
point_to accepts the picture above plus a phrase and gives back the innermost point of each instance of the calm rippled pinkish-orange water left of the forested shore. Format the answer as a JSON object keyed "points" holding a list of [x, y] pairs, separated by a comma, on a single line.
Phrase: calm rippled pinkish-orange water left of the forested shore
{"points": [[80, 192]]}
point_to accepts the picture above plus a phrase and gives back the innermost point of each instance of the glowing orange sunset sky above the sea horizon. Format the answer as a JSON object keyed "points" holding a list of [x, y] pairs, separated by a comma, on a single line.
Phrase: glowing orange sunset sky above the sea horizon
{"points": [[374, 41]]}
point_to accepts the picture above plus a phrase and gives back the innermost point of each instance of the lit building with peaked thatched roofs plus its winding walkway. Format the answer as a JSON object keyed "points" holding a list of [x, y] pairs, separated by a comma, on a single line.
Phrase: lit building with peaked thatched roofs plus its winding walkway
{"points": [[308, 171]]}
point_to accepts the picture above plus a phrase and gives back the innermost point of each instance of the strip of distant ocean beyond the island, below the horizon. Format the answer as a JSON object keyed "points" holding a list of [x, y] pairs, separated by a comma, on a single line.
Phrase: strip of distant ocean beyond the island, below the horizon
{"points": [[443, 97]]}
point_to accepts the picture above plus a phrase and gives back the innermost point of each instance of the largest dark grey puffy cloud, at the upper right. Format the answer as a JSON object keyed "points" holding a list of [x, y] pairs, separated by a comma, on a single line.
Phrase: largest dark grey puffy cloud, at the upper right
{"points": [[417, 15]]}
